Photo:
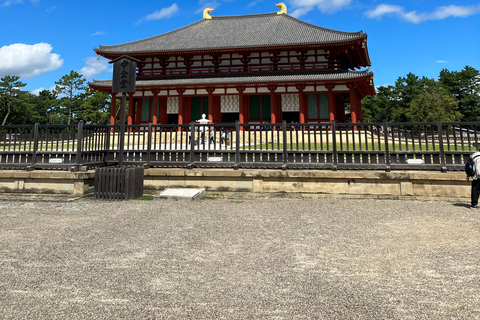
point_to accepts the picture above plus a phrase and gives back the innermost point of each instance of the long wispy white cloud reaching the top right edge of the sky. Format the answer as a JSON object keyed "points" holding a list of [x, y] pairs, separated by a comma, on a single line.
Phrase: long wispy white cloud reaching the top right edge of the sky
{"points": [[414, 17]]}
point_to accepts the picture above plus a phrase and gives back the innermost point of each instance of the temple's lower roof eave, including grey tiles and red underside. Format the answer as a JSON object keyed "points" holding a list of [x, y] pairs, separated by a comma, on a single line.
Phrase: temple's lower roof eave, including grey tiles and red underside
{"points": [[365, 77]]}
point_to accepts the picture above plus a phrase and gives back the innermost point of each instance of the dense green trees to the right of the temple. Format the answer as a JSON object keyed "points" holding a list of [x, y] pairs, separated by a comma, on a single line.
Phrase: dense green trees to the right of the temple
{"points": [[454, 97]]}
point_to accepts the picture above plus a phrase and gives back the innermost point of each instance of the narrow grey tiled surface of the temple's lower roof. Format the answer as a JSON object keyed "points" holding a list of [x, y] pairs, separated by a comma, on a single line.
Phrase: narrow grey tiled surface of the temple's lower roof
{"points": [[254, 78]]}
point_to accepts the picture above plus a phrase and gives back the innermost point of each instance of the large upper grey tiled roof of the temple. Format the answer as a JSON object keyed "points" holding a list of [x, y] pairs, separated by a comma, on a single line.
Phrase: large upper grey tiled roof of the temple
{"points": [[243, 31]]}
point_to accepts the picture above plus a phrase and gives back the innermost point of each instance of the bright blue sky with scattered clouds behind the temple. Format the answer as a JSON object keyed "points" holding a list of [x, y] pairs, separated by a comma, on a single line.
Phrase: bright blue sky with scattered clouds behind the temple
{"points": [[42, 40]]}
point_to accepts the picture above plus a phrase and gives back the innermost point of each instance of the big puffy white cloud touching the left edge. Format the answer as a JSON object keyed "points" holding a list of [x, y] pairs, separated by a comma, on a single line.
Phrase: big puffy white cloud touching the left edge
{"points": [[28, 61]]}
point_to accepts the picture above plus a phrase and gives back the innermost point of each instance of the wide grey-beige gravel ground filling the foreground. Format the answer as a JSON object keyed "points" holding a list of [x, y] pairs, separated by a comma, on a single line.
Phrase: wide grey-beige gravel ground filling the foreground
{"points": [[239, 259]]}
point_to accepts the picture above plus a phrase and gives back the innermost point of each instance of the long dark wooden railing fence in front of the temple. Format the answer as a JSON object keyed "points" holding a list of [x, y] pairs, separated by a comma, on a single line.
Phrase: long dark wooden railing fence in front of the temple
{"points": [[333, 146]]}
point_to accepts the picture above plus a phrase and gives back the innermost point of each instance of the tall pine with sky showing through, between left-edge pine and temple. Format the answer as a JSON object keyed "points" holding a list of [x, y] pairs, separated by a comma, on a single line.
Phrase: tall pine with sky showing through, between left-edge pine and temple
{"points": [[72, 86]]}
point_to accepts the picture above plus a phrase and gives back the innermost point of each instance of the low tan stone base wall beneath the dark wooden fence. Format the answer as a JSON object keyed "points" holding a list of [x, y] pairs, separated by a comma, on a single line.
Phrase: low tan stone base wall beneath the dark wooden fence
{"points": [[425, 185]]}
